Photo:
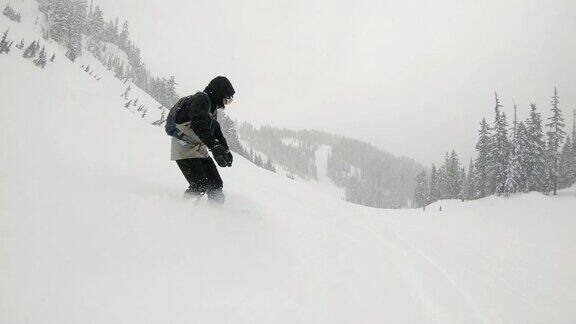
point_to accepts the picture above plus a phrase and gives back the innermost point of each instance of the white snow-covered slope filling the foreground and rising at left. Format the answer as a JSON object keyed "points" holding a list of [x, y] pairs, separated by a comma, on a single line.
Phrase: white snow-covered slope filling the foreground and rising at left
{"points": [[93, 229]]}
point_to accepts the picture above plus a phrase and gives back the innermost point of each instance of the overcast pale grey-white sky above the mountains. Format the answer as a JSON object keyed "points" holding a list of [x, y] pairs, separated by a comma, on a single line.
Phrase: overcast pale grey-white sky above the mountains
{"points": [[413, 77]]}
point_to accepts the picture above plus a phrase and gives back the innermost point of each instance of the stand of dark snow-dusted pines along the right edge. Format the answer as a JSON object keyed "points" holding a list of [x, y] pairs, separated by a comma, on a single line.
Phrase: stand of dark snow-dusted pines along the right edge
{"points": [[526, 156]]}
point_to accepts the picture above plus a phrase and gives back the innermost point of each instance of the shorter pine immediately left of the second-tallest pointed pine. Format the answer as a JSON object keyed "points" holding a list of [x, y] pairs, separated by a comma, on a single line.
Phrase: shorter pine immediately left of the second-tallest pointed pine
{"points": [[483, 163]]}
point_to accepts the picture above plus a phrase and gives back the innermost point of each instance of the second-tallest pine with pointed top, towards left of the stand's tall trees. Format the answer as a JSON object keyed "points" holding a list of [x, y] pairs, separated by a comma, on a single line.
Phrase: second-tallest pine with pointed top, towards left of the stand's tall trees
{"points": [[500, 149]]}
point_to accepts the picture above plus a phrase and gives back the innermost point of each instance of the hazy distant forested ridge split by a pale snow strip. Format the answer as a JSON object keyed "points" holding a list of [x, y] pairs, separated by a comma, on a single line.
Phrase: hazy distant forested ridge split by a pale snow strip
{"points": [[369, 176]]}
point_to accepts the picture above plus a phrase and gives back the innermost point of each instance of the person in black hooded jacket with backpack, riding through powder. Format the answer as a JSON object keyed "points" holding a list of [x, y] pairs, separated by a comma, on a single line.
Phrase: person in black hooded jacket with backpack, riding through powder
{"points": [[194, 128]]}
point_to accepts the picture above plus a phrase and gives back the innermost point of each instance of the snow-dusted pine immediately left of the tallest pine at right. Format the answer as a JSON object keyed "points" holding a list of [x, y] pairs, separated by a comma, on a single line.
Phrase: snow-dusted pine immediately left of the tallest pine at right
{"points": [[536, 151]]}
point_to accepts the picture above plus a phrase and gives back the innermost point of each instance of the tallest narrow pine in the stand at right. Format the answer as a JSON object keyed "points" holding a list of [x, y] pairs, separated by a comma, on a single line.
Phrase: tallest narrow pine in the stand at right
{"points": [[555, 137]]}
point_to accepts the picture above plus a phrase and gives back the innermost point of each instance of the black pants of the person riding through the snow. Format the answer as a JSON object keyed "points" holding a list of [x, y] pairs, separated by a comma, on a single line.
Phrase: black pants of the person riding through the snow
{"points": [[201, 174]]}
